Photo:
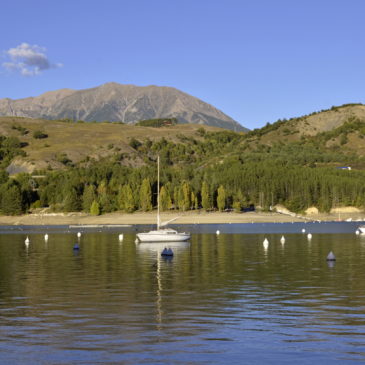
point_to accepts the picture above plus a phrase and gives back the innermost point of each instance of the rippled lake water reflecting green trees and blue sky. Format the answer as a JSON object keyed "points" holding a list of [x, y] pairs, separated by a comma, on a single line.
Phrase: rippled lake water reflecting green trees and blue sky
{"points": [[220, 299]]}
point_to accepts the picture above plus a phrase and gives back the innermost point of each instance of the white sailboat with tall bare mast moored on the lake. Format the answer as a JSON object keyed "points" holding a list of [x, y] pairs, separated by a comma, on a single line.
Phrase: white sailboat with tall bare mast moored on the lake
{"points": [[162, 234]]}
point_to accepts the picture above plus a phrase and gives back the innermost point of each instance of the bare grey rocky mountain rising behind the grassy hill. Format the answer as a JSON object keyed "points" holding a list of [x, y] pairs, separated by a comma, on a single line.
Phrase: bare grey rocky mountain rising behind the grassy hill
{"points": [[117, 102]]}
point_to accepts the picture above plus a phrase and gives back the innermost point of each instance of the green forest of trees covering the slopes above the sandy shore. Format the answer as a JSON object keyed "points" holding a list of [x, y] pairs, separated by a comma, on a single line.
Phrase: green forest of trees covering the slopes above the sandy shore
{"points": [[214, 171]]}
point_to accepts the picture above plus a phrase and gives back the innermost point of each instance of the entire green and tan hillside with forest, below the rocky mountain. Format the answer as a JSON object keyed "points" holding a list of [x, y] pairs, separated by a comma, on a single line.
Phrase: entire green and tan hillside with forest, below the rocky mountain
{"points": [[104, 167]]}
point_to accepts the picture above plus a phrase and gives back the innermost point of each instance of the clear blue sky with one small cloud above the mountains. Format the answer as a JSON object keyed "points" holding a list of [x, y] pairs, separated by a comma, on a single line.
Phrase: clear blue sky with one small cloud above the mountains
{"points": [[257, 61]]}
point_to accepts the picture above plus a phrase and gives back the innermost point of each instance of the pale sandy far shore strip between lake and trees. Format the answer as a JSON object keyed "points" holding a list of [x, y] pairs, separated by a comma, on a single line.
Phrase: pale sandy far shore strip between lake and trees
{"points": [[192, 217]]}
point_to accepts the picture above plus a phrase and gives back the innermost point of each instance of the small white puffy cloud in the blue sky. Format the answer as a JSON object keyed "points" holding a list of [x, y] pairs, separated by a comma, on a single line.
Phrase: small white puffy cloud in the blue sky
{"points": [[29, 60]]}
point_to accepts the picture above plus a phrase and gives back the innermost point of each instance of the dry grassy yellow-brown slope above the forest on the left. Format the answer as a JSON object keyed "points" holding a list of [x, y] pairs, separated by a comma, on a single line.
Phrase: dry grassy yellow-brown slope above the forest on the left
{"points": [[77, 142]]}
